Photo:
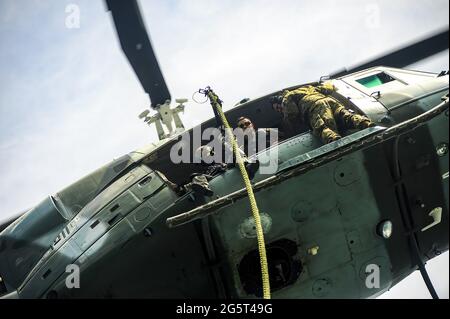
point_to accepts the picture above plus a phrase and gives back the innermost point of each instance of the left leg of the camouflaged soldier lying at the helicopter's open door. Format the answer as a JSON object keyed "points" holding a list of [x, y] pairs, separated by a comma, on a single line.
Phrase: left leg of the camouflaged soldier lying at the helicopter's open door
{"points": [[320, 120]]}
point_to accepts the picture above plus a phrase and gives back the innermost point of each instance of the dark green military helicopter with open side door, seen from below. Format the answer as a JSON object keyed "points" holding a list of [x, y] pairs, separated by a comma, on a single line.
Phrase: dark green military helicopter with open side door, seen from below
{"points": [[115, 221]]}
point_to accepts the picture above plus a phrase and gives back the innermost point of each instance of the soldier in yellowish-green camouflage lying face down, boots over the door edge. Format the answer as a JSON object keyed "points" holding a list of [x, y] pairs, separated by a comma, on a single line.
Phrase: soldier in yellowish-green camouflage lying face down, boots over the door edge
{"points": [[313, 105]]}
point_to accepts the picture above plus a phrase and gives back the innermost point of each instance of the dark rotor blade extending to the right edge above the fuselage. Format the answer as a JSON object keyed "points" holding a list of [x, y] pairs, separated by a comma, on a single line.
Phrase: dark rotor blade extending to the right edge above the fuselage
{"points": [[405, 56]]}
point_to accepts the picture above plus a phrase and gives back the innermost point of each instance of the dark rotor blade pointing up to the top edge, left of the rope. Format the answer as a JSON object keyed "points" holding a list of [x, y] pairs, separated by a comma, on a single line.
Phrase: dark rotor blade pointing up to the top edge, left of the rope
{"points": [[136, 45]]}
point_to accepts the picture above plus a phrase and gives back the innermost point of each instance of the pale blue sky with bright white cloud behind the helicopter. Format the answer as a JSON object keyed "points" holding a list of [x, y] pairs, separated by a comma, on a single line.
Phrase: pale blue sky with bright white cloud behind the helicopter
{"points": [[69, 100]]}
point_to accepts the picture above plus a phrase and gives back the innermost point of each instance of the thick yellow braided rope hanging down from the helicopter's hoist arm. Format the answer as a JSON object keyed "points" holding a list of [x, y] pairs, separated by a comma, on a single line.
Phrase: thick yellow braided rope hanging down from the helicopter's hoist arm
{"points": [[259, 231]]}
